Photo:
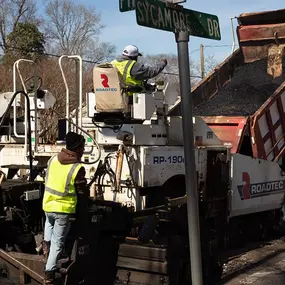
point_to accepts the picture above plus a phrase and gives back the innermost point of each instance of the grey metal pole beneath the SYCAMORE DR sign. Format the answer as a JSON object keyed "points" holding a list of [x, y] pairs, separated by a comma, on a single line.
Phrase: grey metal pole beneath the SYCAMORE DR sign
{"points": [[182, 39]]}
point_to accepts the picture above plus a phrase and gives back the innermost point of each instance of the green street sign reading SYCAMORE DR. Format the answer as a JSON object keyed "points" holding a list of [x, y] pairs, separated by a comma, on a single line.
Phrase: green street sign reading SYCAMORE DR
{"points": [[158, 15]]}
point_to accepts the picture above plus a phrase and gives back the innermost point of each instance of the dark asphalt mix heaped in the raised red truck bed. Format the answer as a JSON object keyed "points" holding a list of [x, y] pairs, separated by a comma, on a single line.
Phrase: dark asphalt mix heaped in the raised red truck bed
{"points": [[249, 88]]}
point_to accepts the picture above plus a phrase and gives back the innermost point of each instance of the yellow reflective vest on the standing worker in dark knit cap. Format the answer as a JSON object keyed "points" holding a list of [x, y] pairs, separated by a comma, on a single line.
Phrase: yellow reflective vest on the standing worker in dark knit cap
{"points": [[60, 193]]}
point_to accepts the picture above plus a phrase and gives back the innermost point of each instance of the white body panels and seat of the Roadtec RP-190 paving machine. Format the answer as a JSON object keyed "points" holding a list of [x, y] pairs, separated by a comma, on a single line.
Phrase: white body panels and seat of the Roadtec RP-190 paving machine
{"points": [[153, 147]]}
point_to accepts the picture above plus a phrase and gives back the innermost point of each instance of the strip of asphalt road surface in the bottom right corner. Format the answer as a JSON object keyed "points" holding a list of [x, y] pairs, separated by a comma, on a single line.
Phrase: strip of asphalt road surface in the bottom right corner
{"points": [[263, 265]]}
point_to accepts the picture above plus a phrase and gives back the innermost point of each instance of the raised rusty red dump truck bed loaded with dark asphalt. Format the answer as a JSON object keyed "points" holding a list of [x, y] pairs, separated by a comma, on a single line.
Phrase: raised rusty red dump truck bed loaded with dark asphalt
{"points": [[249, 85]]}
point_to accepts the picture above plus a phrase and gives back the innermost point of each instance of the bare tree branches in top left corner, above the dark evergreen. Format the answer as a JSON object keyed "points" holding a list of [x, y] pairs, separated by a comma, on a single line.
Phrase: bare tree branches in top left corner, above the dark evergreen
{"points": [[11, 13]]}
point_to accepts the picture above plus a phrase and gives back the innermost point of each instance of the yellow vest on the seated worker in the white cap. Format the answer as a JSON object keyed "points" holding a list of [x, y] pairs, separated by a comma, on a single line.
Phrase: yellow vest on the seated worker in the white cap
{"points": [[124, 67]]}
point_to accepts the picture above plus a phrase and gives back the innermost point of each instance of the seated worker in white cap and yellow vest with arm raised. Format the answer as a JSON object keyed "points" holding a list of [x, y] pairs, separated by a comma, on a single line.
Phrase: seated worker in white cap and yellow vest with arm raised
{"points": [[134, 73]]}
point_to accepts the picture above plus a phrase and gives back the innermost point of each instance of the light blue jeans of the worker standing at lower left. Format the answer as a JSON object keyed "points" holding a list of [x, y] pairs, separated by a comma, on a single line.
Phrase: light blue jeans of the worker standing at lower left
{"points": [[57, 227]]}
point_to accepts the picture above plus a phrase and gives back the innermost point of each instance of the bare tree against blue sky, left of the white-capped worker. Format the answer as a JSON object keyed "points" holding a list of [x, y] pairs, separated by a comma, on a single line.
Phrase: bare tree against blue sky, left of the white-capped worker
{"points": [[74, 29]]}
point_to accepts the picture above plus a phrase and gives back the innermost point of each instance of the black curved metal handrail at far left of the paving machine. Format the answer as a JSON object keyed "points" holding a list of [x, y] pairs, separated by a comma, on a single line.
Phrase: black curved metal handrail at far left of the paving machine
{"points": [[29, 125]]}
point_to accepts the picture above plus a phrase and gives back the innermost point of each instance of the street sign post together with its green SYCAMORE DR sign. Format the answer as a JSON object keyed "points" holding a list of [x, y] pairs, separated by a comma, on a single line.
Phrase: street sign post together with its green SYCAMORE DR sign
{"points": [[183, 22]]}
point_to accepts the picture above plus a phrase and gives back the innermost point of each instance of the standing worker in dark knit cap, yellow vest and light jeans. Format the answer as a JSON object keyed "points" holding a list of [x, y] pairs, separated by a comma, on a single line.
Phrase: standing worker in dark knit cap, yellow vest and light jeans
{"points": [[64, 178]]}
